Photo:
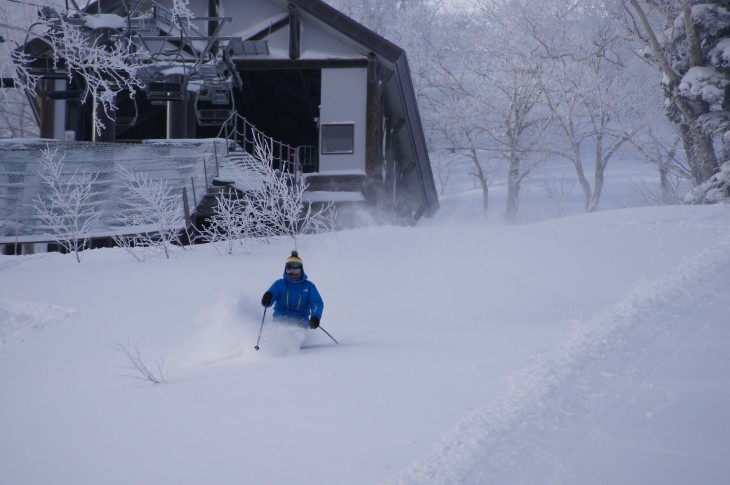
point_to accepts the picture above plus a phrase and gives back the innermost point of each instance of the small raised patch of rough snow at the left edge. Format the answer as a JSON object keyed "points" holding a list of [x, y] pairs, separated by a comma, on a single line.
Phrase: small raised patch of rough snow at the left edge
{"points": [[19, 319]]}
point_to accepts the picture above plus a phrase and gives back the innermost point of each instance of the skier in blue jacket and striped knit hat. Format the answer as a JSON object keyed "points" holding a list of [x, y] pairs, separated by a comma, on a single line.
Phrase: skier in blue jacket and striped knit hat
{"points": [[294, 297]]}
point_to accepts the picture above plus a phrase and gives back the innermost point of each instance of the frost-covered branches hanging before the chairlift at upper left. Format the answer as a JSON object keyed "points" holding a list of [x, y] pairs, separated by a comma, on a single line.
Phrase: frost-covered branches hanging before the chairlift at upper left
{"points": [[95, 50]]}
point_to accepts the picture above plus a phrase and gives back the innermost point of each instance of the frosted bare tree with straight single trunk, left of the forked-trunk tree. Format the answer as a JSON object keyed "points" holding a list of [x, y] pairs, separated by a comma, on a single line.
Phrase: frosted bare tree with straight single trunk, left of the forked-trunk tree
{"points": [[506, 74]]}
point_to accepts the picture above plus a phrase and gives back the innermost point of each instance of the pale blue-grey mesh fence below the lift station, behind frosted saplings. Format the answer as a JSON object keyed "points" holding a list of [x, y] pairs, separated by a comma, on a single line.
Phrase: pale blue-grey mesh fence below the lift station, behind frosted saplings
{"points": [[187, 166]]}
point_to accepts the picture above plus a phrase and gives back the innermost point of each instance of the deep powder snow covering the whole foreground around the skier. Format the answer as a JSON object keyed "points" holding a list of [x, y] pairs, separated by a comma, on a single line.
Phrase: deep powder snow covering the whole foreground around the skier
{"points": [[586, 349]]}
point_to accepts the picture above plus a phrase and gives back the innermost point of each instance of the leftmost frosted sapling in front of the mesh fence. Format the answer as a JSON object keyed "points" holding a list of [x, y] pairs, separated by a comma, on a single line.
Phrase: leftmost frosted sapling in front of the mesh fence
{"points": [[66, 205]]}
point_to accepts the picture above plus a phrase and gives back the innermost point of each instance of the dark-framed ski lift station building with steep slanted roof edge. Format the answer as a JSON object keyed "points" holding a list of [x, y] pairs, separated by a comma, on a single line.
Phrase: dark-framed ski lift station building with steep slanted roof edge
{"points": [[335, 98]]}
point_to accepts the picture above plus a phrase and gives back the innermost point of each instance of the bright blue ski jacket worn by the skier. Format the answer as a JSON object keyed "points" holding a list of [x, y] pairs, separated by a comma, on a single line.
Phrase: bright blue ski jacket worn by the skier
{"points": [[296, 299]]}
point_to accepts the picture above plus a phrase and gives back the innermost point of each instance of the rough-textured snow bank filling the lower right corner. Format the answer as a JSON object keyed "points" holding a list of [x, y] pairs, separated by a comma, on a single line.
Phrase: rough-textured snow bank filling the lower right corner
{"points": [[637, 395]]}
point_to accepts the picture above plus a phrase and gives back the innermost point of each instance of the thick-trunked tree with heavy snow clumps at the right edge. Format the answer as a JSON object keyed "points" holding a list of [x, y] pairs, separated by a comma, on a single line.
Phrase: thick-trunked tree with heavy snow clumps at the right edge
{"points": [[689, 42]]}
